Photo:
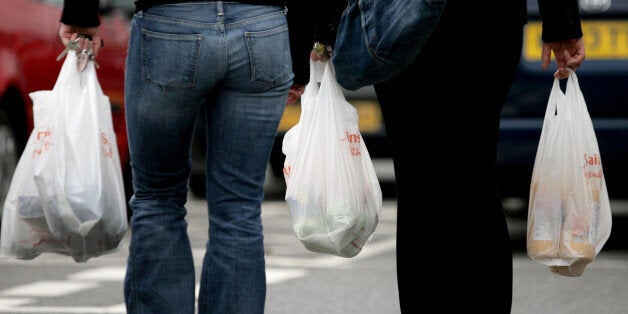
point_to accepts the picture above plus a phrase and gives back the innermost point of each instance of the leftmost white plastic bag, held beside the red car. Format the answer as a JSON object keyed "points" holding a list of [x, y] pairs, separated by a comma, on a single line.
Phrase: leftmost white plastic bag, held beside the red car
{"points": [[67, 194]]}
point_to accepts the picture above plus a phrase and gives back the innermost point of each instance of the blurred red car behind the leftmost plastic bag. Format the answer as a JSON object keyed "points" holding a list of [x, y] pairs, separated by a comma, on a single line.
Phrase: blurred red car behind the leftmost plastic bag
{"points": [[29, 46]]}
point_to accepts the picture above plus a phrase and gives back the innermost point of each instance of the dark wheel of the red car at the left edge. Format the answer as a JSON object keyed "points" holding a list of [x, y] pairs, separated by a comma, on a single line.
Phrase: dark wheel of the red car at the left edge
{"points": [[8, 157]]}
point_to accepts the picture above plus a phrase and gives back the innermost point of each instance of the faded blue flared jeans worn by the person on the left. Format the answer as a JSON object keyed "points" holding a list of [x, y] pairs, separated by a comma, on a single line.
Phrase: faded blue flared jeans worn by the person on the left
{"points": [[234, 60]]}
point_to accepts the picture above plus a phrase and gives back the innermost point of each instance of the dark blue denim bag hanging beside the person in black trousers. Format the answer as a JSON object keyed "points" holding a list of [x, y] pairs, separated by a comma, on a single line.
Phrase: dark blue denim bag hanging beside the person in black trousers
{"points": [[376, 39]]}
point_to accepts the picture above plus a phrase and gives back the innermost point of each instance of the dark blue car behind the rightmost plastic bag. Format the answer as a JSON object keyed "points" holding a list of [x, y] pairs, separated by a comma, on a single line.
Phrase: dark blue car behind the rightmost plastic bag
{"points": [[603, 79]]}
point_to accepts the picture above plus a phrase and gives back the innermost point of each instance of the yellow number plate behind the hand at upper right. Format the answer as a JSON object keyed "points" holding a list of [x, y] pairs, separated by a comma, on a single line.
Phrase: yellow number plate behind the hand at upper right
{"points": [[604, 40]]}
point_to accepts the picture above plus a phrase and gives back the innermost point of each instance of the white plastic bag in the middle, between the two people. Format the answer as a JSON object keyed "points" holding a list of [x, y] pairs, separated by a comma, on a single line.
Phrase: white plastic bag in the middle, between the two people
{"points": [[332, 189]]}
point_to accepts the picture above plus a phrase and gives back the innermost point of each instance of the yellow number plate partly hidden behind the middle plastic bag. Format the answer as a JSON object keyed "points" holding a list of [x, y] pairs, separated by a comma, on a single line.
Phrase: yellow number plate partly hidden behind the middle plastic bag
{"points": [[369, 116]]}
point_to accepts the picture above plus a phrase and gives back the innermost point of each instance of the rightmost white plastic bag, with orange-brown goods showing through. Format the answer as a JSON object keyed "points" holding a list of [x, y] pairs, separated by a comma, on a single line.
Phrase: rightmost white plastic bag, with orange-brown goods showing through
{"points": [[569, 215]]}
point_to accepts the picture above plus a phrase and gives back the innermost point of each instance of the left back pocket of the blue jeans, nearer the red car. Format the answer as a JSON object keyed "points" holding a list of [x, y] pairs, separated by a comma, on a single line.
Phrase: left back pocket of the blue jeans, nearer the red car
{"points": [[170, 61]]}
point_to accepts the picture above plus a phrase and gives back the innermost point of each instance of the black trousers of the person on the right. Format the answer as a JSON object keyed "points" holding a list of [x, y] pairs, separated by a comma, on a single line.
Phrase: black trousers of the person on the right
{"points": [[442, 119]]}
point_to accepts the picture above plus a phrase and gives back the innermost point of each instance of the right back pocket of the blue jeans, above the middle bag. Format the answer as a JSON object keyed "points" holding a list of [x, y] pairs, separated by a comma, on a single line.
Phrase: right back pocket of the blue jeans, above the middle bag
{"points": [[269, 51]]}
